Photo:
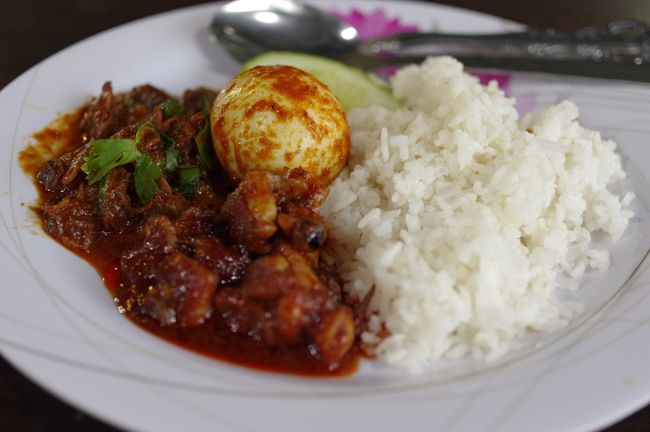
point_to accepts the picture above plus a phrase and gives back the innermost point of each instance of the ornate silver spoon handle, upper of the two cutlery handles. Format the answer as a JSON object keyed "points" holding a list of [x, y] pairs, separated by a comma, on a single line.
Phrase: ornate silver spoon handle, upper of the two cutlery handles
{"points": [[621, 42]]}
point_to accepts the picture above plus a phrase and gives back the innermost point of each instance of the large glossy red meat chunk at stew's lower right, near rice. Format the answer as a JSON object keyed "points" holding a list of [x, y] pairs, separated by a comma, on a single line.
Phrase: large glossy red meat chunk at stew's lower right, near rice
{"points": [[285, 286]]}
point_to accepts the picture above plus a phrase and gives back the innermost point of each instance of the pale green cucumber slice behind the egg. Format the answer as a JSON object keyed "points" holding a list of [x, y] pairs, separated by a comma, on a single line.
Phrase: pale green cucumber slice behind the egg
{"points": [[351, 86]]}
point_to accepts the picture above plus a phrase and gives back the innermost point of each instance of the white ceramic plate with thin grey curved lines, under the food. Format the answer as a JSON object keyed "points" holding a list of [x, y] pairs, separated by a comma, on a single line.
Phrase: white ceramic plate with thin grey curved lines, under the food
{"points": [[59, 325]]}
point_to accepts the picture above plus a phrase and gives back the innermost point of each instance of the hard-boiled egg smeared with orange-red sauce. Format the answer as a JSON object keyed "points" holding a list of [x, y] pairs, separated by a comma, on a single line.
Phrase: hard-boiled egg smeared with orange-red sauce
{"points": [[276, 117]]}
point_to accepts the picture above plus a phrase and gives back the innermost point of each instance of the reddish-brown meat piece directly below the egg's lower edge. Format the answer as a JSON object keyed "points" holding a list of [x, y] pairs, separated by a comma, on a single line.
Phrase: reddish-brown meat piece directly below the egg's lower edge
{"points": [[250, 212]]}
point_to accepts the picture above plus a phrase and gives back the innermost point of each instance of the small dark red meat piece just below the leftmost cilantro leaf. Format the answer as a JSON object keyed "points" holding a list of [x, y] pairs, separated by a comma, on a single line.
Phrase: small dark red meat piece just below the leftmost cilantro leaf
{"points": [[114, 202]]}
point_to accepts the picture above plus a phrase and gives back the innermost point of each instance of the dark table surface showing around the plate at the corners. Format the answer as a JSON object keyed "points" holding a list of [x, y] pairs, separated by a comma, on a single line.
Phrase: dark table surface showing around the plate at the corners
{"points": [[43, 28]]}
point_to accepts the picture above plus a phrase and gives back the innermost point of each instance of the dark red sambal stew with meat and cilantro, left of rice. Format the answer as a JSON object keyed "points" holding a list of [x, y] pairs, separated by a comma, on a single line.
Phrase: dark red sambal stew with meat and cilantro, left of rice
{"points": [[239, 272]]}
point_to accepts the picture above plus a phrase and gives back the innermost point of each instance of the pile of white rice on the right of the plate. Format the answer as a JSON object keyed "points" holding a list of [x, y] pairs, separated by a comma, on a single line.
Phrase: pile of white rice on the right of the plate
{"points": [[461, 216]]}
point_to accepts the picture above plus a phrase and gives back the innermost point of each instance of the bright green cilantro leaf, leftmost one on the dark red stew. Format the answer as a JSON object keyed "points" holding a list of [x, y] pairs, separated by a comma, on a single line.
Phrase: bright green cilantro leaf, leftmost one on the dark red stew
{"points": [[106, 154]]}
